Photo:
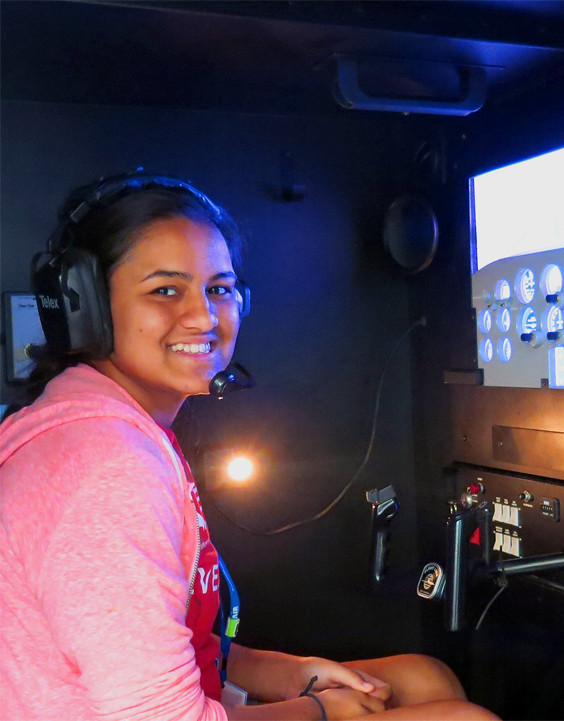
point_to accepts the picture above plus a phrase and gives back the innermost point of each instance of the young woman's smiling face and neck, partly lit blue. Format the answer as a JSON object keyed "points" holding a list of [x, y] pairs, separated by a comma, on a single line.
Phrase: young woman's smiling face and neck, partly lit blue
{"points": [[175, 315]]}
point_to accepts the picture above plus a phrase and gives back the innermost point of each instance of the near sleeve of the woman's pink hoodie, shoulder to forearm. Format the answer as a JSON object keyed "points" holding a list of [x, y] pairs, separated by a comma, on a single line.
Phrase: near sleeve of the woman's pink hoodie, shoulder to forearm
{"points": [[112, 585]]}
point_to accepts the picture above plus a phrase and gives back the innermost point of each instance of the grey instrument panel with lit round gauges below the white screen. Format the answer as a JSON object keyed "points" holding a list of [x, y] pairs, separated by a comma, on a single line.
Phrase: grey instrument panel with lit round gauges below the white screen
{"points": [[519, 305]]}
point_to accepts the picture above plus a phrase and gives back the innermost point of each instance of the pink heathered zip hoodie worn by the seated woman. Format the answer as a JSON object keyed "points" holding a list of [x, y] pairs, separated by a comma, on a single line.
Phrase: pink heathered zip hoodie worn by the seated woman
{"points": [[98, 548]]}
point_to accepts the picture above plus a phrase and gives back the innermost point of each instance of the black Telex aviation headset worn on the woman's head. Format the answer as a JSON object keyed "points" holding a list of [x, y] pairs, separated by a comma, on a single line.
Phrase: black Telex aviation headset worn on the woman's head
{"points": [[70, 287]]}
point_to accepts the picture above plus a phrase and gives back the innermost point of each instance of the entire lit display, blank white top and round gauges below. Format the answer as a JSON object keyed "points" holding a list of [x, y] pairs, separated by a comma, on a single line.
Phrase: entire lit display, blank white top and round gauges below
{"points": [[517, 248]]}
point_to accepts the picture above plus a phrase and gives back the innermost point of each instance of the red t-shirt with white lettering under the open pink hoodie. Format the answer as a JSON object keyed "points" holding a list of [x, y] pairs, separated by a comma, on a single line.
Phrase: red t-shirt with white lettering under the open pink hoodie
{"points": [[204, 602]]}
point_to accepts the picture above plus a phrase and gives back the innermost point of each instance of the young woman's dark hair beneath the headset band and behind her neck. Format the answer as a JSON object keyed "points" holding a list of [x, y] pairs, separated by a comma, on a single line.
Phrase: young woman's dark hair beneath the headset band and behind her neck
{"points": [[108, 230]]}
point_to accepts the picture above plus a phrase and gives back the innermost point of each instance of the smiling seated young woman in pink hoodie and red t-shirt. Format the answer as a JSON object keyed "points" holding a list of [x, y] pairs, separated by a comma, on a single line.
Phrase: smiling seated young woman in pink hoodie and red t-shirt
{"points": [[109, 581]]}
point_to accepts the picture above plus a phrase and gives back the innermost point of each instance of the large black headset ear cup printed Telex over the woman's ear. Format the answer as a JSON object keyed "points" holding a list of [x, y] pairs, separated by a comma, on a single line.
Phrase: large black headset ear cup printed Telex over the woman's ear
{"points": [[74, 305]]}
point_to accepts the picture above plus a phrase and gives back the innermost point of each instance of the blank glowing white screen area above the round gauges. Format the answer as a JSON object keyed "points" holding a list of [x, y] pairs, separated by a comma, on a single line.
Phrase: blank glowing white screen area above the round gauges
{"points": [[518, 209]]}
